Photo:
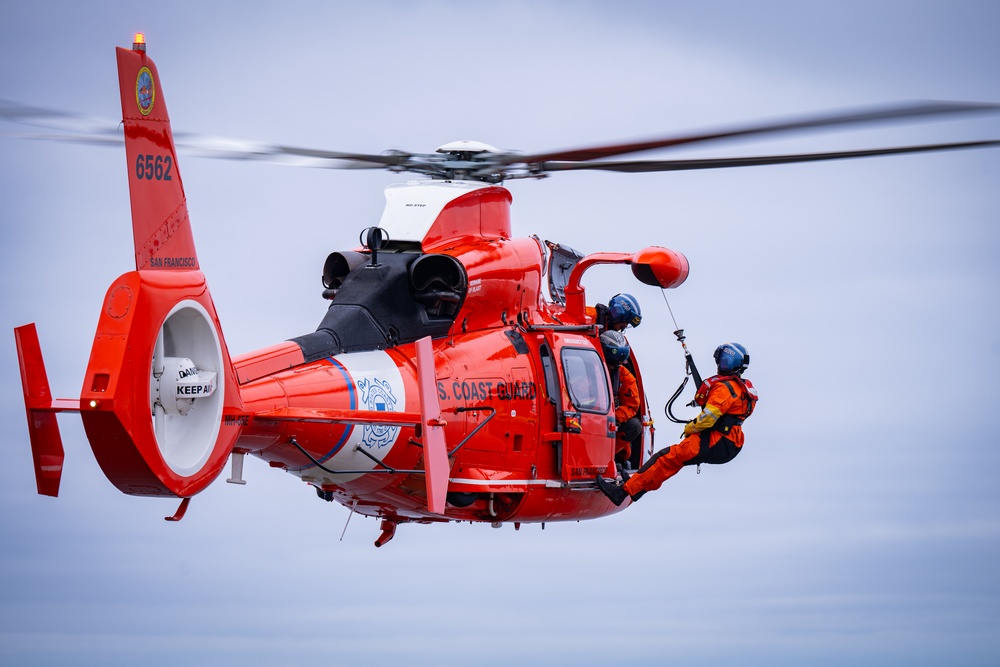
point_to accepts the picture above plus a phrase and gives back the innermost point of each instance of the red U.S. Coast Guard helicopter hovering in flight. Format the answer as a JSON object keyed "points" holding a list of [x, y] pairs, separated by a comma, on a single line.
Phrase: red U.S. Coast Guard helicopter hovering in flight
{"points": [[442, 384]]}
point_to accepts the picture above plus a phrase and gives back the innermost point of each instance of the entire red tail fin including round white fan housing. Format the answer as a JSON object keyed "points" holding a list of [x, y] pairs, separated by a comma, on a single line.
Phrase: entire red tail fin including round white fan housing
{"points": [[160, 398]]}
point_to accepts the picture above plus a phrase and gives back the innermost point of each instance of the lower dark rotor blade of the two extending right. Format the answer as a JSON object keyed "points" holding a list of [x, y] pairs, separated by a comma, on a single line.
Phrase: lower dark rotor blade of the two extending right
{"points": [[640, 166]]}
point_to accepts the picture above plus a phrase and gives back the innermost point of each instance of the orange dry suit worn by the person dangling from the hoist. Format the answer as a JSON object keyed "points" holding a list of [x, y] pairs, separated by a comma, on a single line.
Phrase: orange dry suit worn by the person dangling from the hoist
{"points": [[714, 436]]}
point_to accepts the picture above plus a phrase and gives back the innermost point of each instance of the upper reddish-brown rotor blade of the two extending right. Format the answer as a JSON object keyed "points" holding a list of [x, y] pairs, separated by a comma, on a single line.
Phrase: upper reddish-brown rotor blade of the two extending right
{"points": [[909, 111]]}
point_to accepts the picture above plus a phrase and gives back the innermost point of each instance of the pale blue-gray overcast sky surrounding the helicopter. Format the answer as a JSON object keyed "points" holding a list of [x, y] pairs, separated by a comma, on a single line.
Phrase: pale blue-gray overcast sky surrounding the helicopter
{"points": [[860, 526]]}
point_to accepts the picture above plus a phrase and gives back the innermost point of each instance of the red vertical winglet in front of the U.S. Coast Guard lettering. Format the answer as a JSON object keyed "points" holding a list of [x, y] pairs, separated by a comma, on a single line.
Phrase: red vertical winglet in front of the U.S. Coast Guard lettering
{"points": [[435, 450]]}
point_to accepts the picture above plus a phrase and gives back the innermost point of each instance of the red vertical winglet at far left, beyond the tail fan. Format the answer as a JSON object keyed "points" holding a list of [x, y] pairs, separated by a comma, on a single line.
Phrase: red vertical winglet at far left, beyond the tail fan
{"points": [[43, 429]]}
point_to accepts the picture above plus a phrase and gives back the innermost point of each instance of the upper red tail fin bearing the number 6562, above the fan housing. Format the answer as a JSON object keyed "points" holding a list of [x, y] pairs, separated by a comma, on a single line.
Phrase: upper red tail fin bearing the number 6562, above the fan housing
{"points": [[160, 224]]}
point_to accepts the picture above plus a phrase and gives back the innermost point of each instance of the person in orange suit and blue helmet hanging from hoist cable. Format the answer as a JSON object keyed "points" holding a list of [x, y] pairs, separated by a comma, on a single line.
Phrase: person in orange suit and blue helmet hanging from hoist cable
{"points": [[714, 436]]}
